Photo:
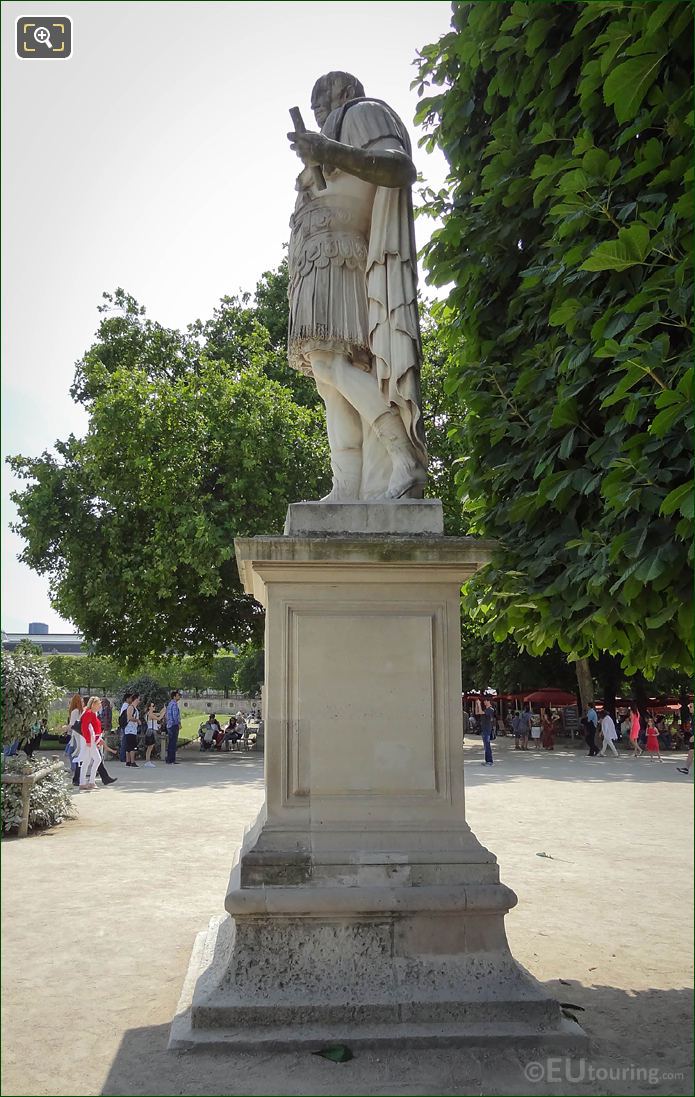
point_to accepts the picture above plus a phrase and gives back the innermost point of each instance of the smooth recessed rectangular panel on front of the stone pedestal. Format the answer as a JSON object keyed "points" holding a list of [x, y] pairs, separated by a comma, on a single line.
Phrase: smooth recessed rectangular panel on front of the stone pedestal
{"points": [[361, 680]]}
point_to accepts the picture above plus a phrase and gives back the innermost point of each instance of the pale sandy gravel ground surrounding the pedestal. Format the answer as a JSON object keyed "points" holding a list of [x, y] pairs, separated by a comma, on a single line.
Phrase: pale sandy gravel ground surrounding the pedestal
{"points": [[99, 918]]}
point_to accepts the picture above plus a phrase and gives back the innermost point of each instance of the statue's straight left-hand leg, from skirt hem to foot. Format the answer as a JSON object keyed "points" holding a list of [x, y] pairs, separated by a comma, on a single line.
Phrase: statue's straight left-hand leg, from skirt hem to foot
{"points": [[345, 432]]}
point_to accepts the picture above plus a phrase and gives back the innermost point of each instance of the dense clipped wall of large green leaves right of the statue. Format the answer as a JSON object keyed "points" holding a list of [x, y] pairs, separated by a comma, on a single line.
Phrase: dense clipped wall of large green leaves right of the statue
{"points": [[566, 233]]}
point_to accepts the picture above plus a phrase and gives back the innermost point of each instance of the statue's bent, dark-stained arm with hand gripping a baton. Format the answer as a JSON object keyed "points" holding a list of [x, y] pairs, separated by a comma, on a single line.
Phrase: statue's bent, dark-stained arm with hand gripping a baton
{"points": [[383, 167]]}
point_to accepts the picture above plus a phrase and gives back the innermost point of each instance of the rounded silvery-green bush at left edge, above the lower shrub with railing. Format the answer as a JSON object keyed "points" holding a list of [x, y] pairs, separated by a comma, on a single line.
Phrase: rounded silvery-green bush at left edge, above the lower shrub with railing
{"points": [[27, 689]]}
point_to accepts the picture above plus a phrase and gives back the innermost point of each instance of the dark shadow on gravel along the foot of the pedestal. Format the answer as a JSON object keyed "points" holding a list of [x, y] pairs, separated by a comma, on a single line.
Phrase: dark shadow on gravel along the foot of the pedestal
{"points": [[641, 1044]]}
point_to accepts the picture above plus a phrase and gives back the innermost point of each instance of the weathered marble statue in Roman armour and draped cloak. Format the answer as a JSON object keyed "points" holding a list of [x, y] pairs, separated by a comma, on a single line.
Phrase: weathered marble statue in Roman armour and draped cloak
{"points": [[354, 310]]}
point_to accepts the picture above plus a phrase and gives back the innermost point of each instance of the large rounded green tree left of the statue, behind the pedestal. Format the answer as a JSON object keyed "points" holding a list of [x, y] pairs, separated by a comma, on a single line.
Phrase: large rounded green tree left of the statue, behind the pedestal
{"points": [[135, 523]]}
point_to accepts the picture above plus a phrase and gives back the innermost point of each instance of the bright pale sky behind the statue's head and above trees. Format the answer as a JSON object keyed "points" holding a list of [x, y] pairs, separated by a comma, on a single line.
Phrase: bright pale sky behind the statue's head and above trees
{"points": [[156, 159]]}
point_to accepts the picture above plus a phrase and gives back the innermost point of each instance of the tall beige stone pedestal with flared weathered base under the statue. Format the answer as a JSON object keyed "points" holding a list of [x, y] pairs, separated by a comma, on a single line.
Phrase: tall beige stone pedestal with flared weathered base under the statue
{"points": [[362, 907]]}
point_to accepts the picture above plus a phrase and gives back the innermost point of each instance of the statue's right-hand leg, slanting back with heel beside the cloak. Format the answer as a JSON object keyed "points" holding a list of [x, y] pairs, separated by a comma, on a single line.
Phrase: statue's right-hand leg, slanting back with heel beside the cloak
{"points": [[362, 390]]}
